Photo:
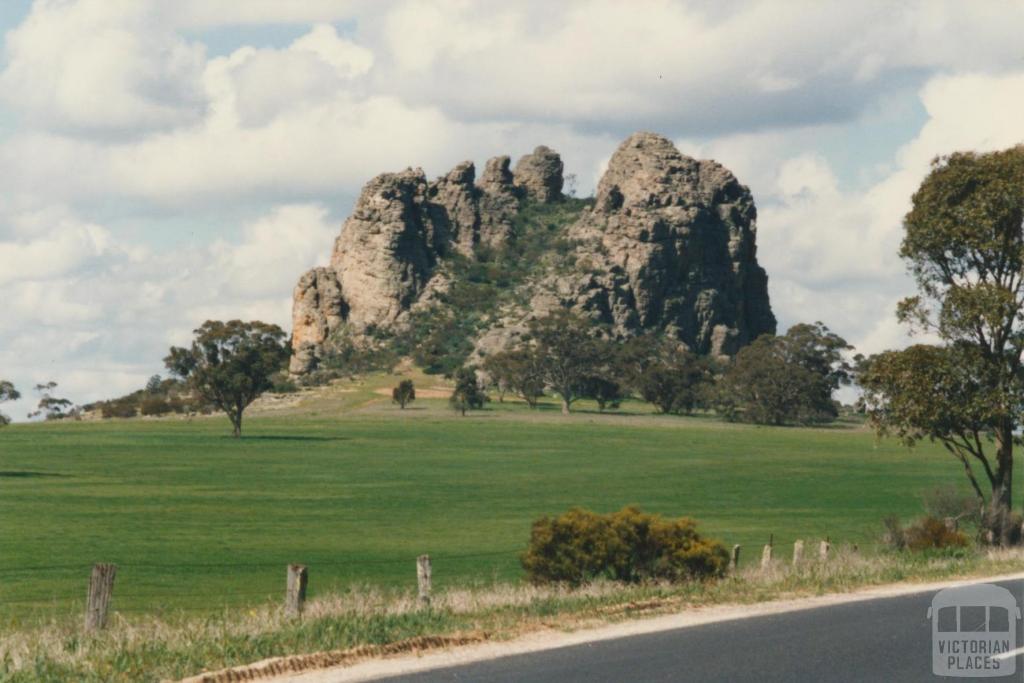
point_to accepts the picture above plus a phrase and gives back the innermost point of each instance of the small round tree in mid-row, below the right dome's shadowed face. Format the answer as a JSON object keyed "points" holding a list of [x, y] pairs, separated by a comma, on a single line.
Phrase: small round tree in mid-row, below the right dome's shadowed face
{"points": [[675, 380]]}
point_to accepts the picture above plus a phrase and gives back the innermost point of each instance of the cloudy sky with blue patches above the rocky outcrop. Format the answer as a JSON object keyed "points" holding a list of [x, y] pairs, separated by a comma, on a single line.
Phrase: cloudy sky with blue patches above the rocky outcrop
{"points": [[164, 163]]}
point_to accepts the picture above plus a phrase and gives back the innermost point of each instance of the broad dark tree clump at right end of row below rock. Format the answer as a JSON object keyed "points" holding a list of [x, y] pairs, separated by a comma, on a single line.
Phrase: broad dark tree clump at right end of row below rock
{"points": [[787, 379]]}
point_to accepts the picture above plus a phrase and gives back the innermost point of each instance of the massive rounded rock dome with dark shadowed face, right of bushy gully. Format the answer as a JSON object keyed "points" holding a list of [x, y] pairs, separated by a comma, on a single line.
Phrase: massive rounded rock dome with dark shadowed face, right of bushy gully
{"points": [[670, 246]]}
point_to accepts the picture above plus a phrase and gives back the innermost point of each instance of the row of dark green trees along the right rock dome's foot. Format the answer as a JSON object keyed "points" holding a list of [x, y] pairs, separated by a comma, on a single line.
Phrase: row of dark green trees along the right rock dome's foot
{"points": [[777, 380]]}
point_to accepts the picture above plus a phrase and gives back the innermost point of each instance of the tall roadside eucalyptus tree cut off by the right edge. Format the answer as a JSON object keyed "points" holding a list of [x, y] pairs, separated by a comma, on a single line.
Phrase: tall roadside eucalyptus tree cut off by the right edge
{"points": [[964, 243]]}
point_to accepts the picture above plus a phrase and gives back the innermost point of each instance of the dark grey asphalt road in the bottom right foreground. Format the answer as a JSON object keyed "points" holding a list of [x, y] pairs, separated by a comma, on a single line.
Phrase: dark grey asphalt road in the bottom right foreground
{"points": [[876, 641]]}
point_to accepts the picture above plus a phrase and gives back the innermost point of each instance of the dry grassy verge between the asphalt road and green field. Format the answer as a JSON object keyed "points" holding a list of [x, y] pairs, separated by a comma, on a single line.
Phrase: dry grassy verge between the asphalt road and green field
{"points": [[362, 623]]}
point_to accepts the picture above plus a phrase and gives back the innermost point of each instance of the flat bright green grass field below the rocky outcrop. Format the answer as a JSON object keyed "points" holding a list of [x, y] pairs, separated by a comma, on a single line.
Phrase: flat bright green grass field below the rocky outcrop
{"points": [[357, 489]]}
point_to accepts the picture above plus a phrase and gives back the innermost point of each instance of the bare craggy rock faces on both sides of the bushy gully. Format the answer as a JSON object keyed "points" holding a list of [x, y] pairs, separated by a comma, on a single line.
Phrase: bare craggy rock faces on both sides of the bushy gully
{"points": [[668, 245]]}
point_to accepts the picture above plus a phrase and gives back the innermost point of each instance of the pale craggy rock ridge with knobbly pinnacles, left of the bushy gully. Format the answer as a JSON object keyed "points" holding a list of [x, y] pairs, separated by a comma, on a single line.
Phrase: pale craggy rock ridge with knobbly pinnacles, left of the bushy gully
{"points": [[387, 259]]}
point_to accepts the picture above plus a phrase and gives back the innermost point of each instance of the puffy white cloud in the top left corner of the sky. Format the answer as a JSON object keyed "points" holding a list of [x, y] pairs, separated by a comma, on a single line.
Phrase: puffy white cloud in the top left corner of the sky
{"points": [[101, 66]]}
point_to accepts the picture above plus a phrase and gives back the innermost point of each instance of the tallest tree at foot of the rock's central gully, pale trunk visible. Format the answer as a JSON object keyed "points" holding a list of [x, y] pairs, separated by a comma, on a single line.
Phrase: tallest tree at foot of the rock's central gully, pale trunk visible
{"points": [[569, 354]]}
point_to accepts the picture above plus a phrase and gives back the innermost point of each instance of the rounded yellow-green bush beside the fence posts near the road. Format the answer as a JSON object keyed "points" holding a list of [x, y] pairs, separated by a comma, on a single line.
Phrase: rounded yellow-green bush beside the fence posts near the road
{"points": [[628, 546]]}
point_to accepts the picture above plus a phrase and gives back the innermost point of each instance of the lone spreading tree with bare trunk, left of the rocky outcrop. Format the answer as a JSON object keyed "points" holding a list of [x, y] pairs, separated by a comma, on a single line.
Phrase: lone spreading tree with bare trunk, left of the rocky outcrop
{"points": [[230, 365]]}
